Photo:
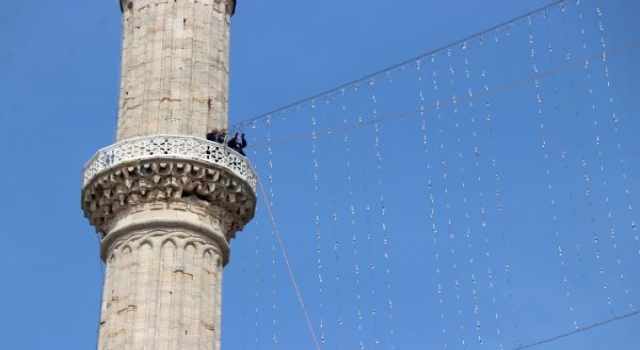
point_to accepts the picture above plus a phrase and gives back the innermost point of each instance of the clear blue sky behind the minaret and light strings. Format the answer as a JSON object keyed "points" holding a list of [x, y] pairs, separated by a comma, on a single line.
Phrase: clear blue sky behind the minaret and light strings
{"points": [[59, 65]]}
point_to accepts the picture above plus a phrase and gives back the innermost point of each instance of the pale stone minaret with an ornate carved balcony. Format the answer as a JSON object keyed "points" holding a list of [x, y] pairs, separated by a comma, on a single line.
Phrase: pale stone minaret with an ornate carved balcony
{"points": [[165, 201]]}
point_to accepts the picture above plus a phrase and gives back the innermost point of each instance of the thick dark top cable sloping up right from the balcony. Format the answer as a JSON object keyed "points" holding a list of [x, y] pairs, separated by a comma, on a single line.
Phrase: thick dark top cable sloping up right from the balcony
{"points": [[400, 66]]}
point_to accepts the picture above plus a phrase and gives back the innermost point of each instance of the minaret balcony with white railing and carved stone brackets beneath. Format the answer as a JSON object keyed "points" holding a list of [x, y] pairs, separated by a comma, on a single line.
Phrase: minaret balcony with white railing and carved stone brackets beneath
{"points": [[166, 171]]}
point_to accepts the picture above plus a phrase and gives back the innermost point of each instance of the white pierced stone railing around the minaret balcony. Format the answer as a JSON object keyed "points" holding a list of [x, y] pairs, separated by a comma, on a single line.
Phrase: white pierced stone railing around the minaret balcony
{"points": [[162, 146]]}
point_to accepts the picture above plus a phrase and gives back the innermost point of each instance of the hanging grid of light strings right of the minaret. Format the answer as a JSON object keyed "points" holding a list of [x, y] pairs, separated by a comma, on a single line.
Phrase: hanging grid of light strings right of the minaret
{"points": [[423, 201]]}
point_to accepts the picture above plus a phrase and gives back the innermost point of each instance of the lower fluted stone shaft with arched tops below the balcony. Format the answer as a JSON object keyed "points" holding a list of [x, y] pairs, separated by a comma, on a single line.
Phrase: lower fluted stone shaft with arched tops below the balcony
{"points": [[162, 291]]}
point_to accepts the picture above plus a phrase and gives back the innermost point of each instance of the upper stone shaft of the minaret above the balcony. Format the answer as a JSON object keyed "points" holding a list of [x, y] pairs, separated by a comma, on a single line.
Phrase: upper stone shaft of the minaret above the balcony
{"points": [[175, 59]]}
